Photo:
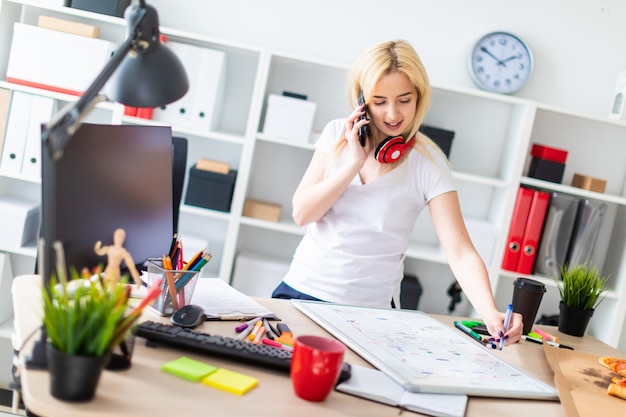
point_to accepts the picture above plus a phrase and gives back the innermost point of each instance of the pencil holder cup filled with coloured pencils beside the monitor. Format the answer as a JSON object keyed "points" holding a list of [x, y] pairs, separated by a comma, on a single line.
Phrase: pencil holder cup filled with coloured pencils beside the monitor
{"points": [[176, 287]]}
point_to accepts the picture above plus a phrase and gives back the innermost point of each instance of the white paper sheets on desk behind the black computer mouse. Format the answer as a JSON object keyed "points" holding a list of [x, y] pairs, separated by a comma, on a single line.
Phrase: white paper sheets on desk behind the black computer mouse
{"points": [[221, 301]]}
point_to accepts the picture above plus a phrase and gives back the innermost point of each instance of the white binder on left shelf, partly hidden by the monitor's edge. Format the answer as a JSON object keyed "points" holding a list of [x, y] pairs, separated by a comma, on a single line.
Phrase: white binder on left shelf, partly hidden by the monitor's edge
{"points": [[41, 112]]}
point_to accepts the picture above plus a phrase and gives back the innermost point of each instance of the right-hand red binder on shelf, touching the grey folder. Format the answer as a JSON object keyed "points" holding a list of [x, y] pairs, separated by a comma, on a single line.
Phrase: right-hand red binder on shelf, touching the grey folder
{"points": [[532, 233]]}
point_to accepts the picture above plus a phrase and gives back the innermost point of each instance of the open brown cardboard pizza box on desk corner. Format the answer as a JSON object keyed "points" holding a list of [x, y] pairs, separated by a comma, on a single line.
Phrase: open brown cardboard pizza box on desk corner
{"points": [[582, 383]]}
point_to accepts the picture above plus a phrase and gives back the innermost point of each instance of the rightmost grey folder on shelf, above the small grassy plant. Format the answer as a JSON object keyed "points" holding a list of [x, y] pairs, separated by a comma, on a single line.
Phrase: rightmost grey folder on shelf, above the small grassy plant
{"points": [[588, 222]]}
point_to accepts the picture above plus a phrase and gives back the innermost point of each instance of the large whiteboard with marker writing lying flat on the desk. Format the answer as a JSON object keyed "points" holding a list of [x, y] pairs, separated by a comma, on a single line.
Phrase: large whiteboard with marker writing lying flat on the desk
{"points": [[422, 354]]}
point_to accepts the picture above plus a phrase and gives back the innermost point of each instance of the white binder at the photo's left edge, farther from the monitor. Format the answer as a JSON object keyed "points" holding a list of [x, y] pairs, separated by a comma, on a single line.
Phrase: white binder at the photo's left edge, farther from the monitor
{"points": [[16, 132]]}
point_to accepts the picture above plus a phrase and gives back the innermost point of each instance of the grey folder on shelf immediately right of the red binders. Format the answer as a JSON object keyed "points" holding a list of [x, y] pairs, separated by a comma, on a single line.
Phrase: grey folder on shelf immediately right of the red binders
{"points": [[557, 233]]}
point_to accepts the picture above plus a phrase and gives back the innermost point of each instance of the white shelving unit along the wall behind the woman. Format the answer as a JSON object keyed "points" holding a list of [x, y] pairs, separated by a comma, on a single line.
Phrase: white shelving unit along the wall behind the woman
{"points": [[493, 136]]}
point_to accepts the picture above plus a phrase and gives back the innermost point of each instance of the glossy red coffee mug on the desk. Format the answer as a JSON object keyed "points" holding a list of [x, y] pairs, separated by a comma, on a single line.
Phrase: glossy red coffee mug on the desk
{"points": [[315, 366]]}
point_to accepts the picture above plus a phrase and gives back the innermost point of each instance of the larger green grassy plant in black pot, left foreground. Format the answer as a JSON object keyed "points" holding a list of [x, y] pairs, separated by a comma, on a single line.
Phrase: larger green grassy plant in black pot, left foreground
{"points": [[83, 326]]}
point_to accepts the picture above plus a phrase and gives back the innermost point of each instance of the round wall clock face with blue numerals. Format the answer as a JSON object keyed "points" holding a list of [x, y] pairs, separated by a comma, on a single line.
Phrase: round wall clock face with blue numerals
{"points": [[500, 62]]}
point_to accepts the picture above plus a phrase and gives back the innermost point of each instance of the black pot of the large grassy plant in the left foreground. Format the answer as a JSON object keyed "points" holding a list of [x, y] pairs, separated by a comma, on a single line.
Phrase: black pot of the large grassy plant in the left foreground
{"points": [[74, 378]]}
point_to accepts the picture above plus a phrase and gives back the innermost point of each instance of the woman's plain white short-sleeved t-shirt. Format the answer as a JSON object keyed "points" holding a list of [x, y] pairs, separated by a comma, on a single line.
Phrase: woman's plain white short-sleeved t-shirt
{"points": [[354, 254]]}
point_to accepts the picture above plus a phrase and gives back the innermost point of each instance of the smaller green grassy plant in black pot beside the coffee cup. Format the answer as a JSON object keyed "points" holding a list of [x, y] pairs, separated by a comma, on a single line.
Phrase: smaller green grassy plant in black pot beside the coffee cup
{"points": [[582, 288]]}
